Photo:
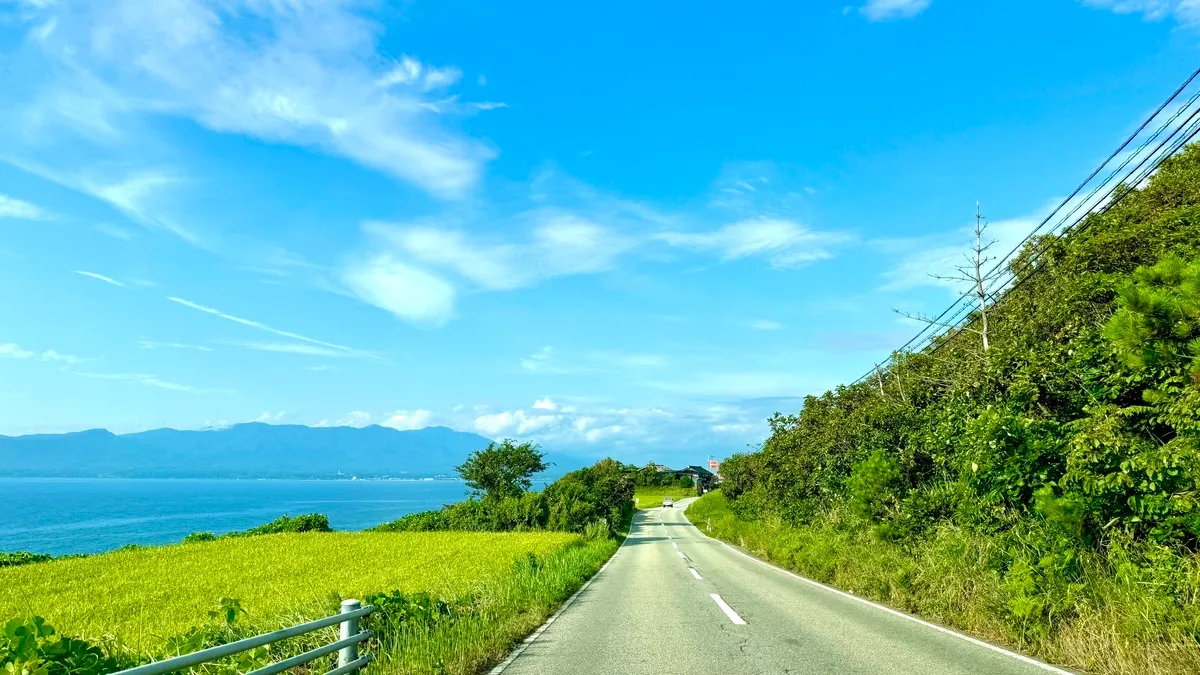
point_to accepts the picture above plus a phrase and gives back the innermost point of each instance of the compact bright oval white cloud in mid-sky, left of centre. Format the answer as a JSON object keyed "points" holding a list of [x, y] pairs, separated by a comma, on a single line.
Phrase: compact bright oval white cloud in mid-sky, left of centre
{"points": [[404, 290]]}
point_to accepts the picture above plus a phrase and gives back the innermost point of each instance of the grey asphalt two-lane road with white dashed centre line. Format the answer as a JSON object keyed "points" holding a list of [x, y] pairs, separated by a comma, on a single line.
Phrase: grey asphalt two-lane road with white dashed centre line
{"points": [[675, 601]]}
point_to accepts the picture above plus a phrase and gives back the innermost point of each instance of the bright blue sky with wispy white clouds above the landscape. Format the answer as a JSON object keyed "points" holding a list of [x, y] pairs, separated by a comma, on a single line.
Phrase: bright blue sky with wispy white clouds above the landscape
{"points": [[627, 229]]}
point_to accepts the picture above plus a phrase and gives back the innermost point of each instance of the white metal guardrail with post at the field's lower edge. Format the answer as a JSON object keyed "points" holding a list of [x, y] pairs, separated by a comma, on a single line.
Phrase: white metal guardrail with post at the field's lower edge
{"points": [[349, 660]]}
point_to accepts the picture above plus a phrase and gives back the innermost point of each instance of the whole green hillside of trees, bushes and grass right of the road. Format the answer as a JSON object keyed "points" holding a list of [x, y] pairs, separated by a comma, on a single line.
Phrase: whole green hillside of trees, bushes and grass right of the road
{"points": [[1042, 492]]}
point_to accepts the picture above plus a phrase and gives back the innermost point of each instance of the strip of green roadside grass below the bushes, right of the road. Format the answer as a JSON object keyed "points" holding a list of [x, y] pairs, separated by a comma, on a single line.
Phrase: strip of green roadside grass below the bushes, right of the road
{"points": [[1124, 616]]}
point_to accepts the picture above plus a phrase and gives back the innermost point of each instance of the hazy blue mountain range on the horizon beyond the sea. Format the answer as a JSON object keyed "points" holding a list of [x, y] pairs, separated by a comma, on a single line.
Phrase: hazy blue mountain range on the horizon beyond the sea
{"points": [[247, 451]]}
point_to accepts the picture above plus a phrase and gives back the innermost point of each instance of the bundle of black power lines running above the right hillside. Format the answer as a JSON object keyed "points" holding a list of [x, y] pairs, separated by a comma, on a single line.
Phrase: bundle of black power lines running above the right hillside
{"points": [[1177, 140]]}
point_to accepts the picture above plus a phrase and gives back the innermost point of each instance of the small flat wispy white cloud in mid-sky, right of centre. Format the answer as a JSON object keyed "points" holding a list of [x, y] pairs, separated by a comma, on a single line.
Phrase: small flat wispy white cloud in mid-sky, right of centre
{"points": [[785, 243]]}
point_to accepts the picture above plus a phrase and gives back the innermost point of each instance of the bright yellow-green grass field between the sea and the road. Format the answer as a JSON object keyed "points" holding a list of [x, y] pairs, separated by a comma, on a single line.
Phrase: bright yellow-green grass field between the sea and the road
{"points": [[135, 601]]}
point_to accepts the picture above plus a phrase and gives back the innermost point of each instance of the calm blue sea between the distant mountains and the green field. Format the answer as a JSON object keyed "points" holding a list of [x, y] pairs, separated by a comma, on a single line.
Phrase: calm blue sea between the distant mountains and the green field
{"points": [[73, 516]]}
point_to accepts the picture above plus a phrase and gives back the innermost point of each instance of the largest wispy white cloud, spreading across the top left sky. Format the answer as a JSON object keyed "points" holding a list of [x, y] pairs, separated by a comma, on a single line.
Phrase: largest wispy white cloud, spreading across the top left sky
{"points": [[308, 74]]}
